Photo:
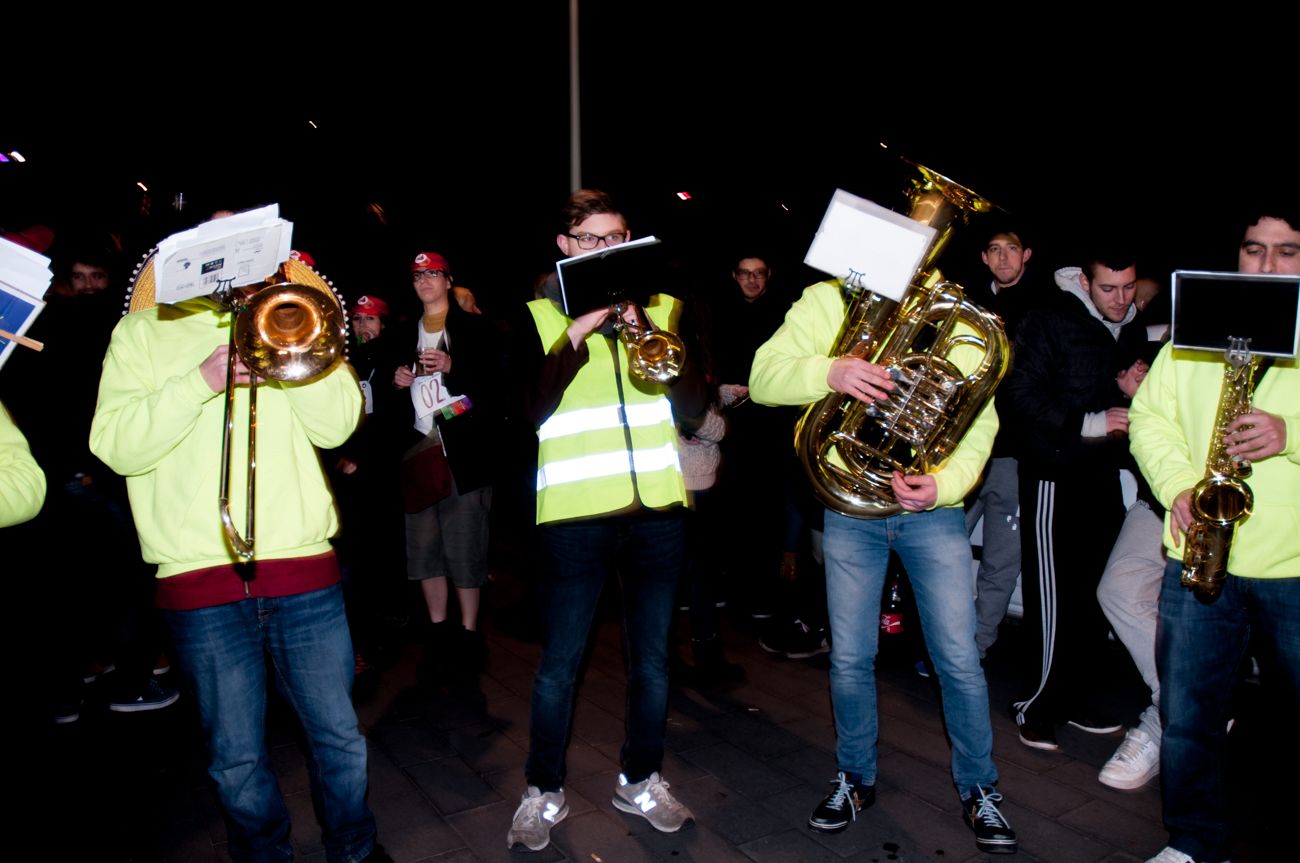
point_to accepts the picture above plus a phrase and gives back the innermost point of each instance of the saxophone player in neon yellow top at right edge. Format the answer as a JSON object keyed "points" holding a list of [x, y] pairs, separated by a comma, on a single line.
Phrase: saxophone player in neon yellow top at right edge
{"points": [[1201, 647]]}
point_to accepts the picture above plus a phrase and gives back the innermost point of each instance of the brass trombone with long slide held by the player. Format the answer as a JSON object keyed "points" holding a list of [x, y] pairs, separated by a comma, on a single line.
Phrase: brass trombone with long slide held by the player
{"points": [[288, 331]]}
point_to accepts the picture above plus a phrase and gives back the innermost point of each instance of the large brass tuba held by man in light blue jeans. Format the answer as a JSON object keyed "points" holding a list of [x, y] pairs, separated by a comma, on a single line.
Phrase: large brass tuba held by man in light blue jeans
{"points": [[934, 404]]}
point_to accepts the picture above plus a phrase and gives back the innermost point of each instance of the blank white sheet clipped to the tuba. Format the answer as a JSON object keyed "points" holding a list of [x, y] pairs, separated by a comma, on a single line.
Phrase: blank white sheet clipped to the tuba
{"points": [[869, 246]]}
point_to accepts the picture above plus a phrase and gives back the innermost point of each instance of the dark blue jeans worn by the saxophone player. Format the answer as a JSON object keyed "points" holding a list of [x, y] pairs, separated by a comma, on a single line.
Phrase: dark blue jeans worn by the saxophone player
{"points": [[1199, 650]]}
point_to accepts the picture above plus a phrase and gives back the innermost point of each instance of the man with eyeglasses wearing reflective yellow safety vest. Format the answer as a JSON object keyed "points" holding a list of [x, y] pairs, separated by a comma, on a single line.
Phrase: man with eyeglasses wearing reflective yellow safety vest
{"points": [[610, 497]]}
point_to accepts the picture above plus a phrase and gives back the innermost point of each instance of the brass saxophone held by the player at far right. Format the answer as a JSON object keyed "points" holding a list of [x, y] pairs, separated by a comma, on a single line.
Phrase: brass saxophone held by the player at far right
{"points": [[1221, 500]]}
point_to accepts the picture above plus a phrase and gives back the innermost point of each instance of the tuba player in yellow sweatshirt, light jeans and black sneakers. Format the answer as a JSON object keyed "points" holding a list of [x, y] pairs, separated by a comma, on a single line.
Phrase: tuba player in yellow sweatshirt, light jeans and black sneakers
{"points": [[930, 539]]}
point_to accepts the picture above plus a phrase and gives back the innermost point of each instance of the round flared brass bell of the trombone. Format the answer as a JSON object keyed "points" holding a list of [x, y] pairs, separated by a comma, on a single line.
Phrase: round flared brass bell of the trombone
{"points": [[291, 332]]}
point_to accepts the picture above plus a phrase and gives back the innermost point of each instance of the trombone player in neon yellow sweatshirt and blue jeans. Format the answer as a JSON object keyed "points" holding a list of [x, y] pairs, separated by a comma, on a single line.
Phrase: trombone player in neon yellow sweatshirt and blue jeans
{"points": [[159, 422]]}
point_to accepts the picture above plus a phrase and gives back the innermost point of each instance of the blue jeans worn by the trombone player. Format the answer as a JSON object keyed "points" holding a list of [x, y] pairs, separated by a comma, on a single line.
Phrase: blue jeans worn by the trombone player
{"points": [[223, 654]]}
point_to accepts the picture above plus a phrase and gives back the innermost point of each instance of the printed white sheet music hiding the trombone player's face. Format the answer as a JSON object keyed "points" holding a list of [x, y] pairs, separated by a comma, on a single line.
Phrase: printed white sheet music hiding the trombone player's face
{"points": [[240, 250]]}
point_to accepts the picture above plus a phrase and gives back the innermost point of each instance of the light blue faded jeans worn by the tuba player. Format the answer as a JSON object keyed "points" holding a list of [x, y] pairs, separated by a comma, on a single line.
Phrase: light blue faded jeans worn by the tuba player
{"points": [[935, 550]]}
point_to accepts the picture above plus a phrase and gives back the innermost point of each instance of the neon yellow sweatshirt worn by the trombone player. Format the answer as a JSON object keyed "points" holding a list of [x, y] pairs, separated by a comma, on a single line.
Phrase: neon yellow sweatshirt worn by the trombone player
{"points": [[161, 426]]}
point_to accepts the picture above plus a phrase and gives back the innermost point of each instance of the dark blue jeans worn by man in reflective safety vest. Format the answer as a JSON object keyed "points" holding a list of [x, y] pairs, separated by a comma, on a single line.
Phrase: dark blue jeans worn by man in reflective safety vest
{"points": [[647, 552]]}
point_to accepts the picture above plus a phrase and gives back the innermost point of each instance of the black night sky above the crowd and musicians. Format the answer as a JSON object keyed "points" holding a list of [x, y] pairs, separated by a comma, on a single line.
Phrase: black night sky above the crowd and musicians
{"points": [[449, 132]]}
